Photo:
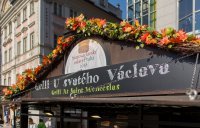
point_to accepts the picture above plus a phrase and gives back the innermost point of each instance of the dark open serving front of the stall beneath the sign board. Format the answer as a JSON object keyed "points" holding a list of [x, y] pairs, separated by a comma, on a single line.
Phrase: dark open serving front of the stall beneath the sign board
{"points": [[90, 114]]}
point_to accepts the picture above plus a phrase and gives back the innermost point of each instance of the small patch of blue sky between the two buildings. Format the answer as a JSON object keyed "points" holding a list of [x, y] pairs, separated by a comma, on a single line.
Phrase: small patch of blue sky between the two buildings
{"points": [[122, 6]]}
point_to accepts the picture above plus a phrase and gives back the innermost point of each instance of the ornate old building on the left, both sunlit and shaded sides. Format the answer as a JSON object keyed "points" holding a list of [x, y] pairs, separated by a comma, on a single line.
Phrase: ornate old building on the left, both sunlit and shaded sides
{"points": [[29, 29]]}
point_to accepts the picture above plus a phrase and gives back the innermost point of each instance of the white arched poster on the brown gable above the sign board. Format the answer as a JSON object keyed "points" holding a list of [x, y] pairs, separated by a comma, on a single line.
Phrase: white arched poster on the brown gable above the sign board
{"points": [[87, 54]]}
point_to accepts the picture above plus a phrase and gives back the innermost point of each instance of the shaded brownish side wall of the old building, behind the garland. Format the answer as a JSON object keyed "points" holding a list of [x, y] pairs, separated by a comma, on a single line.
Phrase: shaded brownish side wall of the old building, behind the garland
{"points": [[53, 24]]}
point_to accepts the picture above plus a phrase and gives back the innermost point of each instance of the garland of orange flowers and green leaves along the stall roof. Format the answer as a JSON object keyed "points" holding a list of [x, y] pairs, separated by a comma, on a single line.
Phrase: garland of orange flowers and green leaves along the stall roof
{"points": [[139, 35]]}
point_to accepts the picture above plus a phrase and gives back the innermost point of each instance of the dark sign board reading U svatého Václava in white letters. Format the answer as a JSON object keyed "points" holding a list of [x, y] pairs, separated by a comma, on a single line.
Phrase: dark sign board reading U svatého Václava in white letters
{"points": [[151, 75]]}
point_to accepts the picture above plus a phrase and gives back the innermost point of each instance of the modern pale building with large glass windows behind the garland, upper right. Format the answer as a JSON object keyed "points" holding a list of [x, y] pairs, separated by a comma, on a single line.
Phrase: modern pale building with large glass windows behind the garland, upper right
{"points": [[179, 14]]}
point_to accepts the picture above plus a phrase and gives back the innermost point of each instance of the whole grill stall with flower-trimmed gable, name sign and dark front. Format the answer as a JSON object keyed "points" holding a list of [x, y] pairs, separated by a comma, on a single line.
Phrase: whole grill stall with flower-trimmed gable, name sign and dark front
{"points": [[94, 81]]}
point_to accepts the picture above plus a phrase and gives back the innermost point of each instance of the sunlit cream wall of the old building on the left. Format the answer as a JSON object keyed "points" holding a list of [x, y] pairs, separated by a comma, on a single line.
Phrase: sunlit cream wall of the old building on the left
{"points": [[26, 59]]}
